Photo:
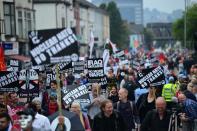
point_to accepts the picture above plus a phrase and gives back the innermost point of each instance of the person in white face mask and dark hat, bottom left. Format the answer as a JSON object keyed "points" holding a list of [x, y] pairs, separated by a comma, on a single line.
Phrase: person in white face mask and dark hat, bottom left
{"points": [[26, 118]]}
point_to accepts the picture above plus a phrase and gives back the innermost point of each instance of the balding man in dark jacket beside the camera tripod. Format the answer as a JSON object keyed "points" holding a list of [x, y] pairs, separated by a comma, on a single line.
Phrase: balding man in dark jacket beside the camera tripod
{"points": [[157, 120]]}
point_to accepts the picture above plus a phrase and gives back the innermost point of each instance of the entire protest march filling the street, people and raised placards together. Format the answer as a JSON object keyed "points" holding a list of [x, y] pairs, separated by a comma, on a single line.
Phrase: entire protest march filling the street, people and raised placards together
{"points": [[126, 90]]}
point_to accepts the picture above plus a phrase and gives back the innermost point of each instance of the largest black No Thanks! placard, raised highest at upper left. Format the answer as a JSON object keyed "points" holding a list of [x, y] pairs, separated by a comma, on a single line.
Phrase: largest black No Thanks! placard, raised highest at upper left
{"points": [[53, 46]]}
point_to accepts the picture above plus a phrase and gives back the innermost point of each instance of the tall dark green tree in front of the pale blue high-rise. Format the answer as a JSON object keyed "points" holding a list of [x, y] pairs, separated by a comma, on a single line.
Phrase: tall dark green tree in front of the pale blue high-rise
{"points": [[119, 33]]}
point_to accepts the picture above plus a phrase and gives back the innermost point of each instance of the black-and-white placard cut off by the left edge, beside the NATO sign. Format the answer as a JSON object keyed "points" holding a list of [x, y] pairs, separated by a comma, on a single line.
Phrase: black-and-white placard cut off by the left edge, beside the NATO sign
{"points": [[9, 81]]}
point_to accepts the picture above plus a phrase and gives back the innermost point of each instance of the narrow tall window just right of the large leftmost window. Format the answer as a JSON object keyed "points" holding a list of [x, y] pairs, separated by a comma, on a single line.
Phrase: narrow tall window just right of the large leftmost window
{"points": [[20, 24]]}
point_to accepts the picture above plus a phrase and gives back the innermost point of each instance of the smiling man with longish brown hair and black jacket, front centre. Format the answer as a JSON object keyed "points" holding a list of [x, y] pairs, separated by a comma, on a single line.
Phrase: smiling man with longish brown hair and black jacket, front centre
{"points": [[108, 119]]}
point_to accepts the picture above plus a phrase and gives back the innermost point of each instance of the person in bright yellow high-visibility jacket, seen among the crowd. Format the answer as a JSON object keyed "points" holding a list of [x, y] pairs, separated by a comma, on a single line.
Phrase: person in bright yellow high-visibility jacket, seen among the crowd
{"points": [[169, 91]]}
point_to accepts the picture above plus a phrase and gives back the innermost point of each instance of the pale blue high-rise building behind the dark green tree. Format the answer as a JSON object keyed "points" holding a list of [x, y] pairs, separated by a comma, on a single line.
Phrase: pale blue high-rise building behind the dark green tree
{"points": [[130, 10]]}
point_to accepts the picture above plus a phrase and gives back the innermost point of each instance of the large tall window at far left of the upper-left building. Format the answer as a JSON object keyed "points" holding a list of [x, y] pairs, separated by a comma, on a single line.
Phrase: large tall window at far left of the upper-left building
{"points": [[9, 19]]}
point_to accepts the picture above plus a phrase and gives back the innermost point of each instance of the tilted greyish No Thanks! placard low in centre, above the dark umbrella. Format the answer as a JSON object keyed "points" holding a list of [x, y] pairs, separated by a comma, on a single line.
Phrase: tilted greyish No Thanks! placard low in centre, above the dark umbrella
{"points": [[76, 92]]}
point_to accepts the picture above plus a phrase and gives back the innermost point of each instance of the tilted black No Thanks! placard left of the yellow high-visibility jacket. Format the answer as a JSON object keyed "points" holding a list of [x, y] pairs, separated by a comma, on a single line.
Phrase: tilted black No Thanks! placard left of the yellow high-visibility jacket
{"points": [[151, 77]]}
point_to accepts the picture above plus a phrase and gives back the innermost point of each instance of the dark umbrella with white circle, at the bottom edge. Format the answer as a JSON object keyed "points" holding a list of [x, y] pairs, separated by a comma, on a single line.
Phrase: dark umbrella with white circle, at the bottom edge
{"points": [[72, 121]]}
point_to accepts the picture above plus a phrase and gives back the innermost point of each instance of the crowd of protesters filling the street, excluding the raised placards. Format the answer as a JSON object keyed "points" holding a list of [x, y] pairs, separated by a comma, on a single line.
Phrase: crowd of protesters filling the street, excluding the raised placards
{"points": [[120, 106]]}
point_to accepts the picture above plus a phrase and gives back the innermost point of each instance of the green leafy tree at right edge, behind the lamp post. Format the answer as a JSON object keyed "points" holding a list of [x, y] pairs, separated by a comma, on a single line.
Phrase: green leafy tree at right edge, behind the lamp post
{"points": [[191, 20]]}
